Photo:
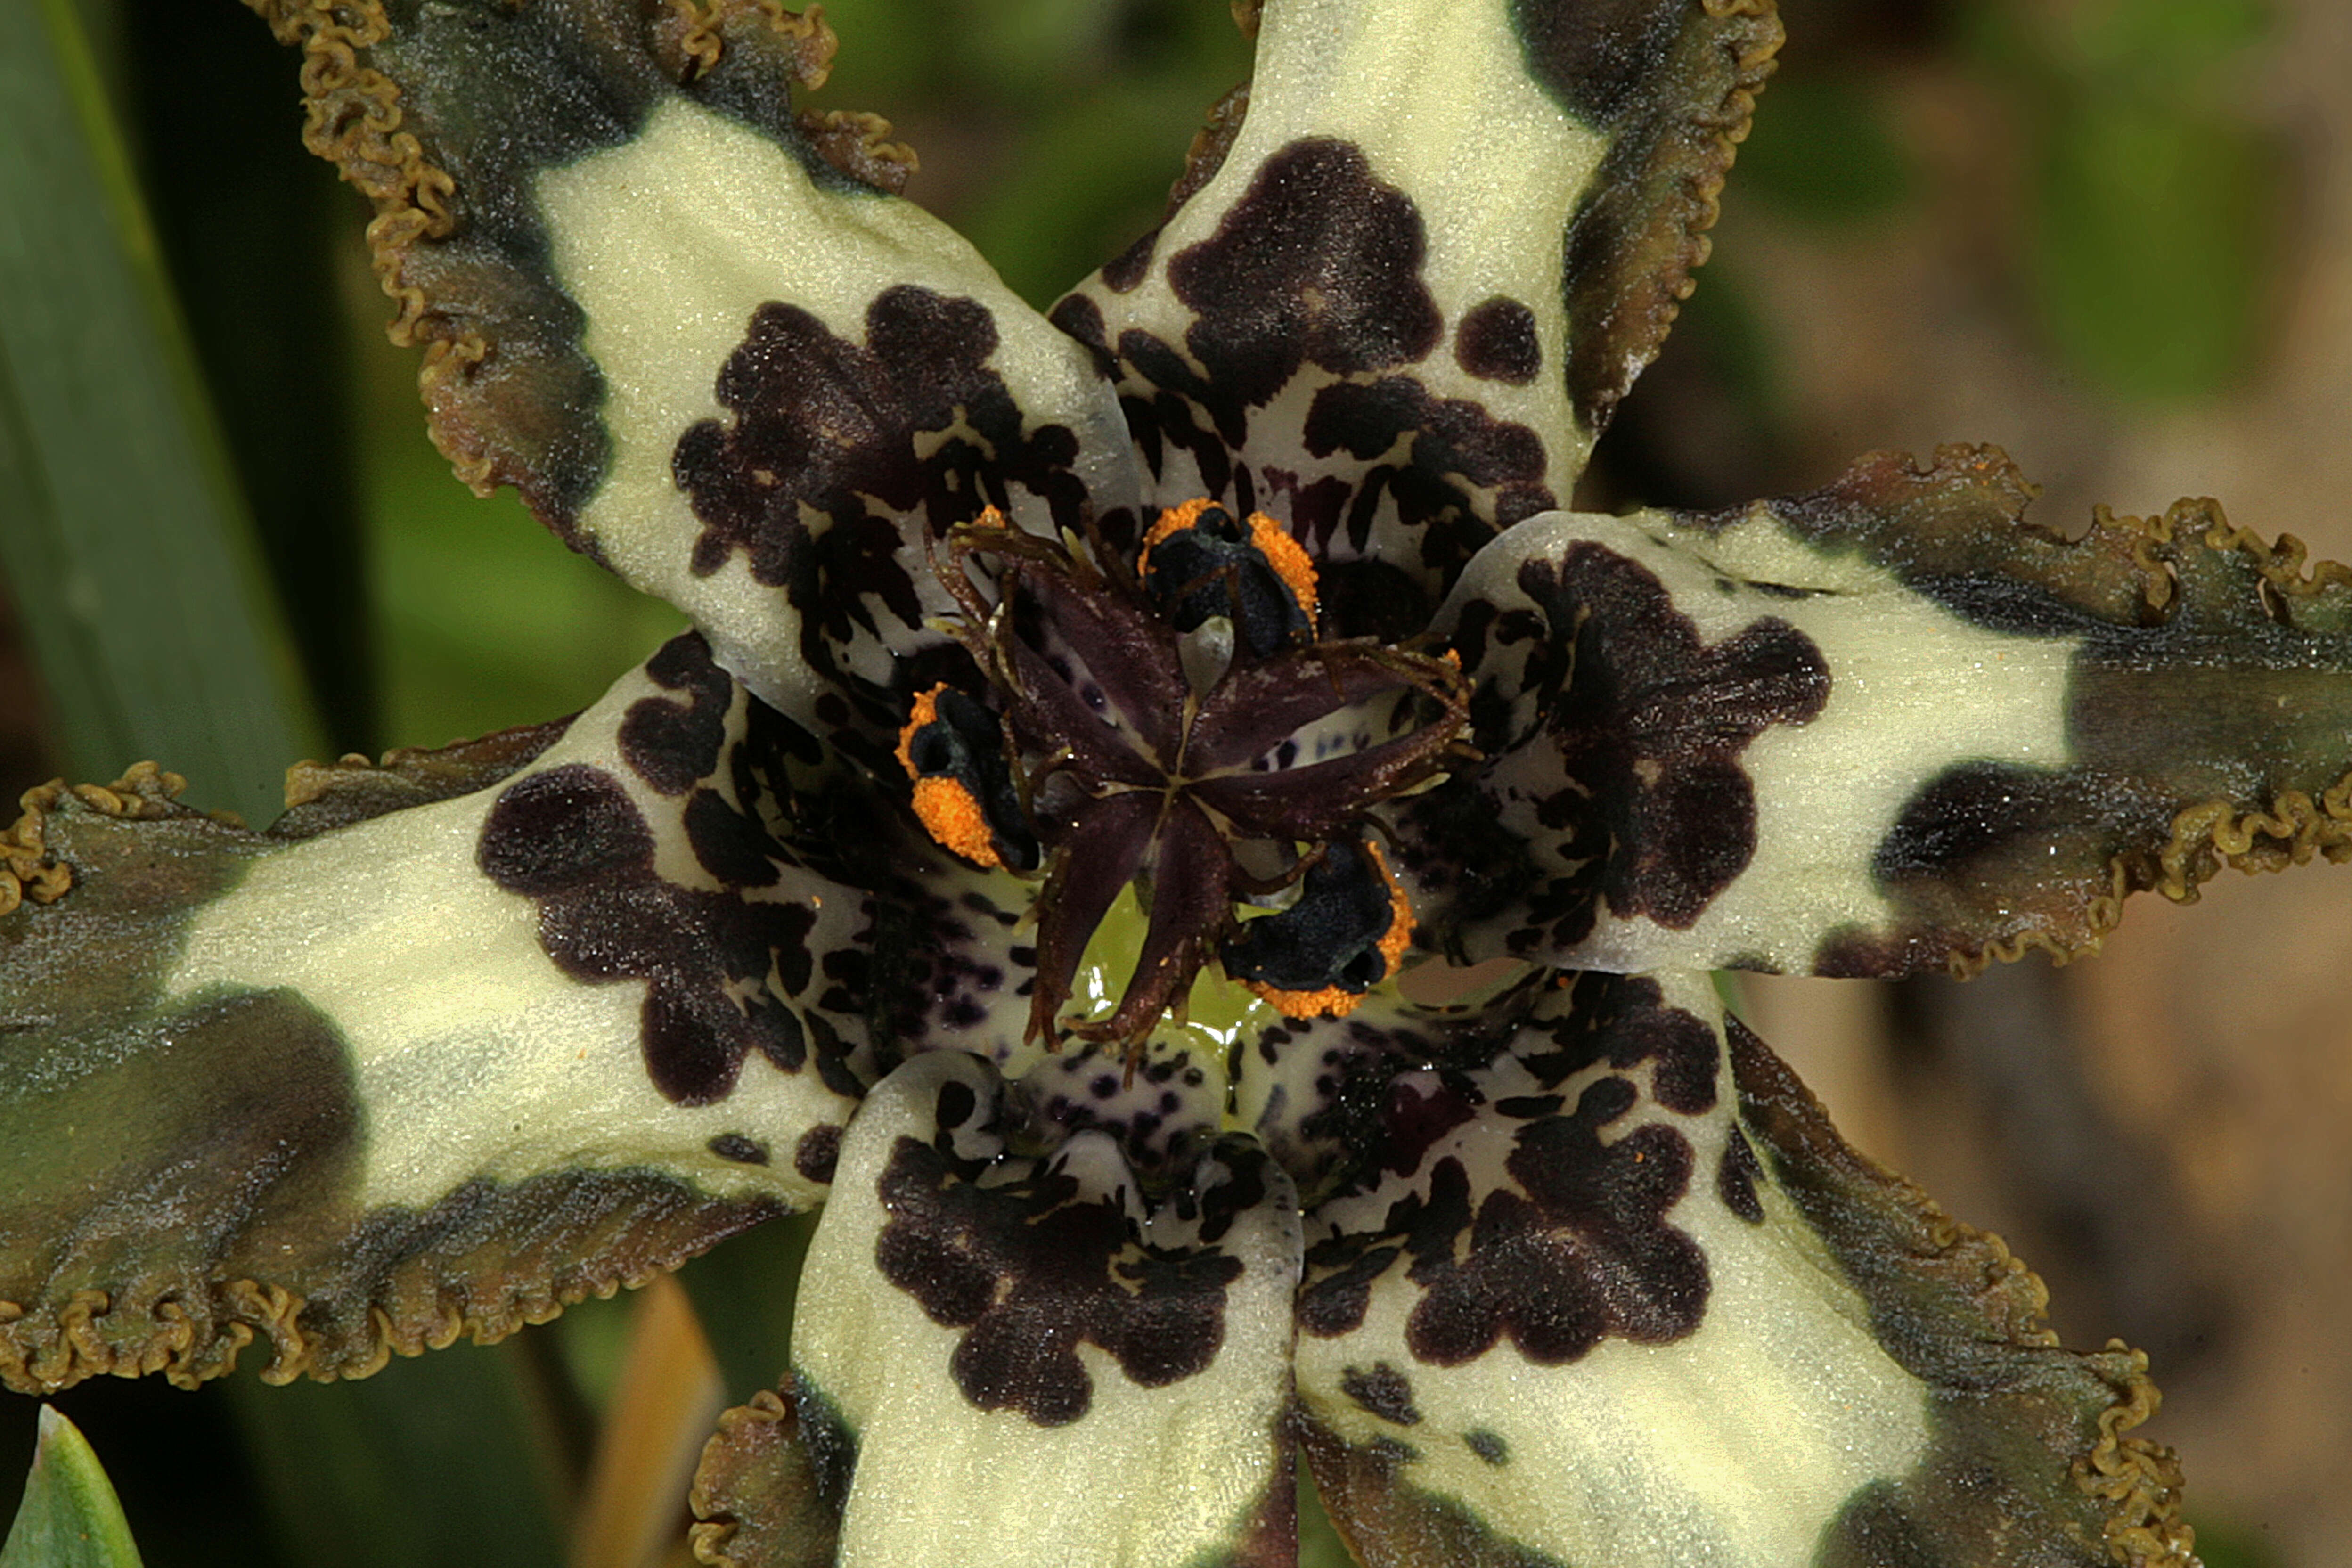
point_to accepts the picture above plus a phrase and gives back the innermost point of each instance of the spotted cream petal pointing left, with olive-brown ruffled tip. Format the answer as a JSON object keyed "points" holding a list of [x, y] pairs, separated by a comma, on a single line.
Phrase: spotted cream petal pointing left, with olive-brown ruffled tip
{"points": [[455, 1043]]}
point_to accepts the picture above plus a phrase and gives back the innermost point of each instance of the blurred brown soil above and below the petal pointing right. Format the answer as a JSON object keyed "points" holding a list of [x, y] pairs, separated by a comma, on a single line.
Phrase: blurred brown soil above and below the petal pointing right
{"points": [[2167, 1130]]}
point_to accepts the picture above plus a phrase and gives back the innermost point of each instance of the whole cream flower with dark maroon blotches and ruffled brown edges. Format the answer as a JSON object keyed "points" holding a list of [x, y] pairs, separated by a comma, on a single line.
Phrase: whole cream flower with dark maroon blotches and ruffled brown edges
{"points": [[1088, 728]]}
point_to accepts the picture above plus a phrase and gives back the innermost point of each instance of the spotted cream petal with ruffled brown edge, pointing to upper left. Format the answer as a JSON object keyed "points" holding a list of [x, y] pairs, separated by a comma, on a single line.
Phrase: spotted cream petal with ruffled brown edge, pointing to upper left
{"points": [[693, 328]]}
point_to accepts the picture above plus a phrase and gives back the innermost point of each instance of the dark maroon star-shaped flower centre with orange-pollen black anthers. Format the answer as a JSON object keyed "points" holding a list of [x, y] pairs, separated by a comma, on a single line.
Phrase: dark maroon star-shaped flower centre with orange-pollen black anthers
{"points": [[1180, 728]]}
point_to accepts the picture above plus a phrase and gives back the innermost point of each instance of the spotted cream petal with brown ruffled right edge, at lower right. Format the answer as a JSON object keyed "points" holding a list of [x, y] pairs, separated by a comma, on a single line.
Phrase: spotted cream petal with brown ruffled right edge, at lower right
{"points": [[1619, 1296]]}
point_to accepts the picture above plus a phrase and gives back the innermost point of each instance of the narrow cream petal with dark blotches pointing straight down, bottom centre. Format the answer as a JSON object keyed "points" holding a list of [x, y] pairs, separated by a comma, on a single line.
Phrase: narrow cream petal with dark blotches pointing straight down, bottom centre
{"points": [[1022, 1360]]}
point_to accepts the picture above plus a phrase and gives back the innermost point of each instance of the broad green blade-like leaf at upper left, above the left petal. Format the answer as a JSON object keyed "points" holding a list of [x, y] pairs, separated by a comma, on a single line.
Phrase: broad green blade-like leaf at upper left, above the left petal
{"points": [[142, 589]]}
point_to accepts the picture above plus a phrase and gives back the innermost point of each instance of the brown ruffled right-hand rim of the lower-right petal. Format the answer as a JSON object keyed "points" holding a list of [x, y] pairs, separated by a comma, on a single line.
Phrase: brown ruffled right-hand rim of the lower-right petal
{"points": [[1925, 1271]]}
